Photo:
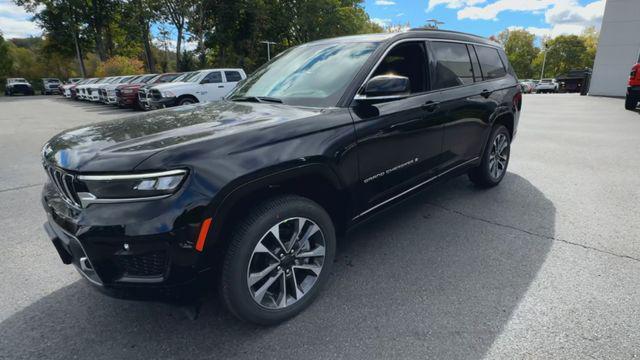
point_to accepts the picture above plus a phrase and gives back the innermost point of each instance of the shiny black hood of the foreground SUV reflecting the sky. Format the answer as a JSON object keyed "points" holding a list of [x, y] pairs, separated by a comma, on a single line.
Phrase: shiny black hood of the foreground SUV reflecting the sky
{"points": [[120, 145]]}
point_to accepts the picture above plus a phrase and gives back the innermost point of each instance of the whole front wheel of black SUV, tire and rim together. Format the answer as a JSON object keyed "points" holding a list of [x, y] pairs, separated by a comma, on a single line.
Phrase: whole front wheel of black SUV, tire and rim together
{"points": [[279, 257]]}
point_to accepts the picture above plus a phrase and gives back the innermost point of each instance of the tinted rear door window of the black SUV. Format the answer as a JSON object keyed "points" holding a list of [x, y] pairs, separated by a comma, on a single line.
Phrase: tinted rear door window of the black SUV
{"points": [[453, 66]]}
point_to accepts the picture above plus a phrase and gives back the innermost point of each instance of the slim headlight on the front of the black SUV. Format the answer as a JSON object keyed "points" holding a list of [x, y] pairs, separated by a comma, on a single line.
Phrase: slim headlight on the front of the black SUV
{"points": [[130, 187]]}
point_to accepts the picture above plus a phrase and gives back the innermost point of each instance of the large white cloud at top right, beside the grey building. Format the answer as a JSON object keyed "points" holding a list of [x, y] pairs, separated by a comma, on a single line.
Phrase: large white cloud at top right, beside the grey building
{"points": [[562, 16]]}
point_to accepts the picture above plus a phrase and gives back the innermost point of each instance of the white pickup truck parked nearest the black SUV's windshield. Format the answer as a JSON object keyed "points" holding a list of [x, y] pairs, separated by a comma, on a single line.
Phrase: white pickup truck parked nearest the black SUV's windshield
{"points": [[198, 86]]}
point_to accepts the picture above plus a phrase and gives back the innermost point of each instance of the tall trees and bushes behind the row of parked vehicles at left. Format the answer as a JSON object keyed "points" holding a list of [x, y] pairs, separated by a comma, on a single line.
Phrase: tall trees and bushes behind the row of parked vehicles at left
{"points": [[111, 37]]}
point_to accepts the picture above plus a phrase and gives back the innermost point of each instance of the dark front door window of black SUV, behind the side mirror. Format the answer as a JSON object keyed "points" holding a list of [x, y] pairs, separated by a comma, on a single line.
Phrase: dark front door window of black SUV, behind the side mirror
{"points": [[406, 59]]}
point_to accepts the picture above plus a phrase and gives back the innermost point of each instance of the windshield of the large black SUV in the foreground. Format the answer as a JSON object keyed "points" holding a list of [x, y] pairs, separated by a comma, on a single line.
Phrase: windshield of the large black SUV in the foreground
{"points": [[308, 75]]}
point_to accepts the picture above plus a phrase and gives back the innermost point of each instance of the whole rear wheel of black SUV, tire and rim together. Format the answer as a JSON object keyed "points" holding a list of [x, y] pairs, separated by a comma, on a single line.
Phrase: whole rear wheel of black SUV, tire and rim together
{"points": [[495, 159]]}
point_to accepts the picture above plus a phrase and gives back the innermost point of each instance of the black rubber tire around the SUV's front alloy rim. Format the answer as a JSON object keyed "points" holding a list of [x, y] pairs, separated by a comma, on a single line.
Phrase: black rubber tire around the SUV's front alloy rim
{"points": [[234, 288]]}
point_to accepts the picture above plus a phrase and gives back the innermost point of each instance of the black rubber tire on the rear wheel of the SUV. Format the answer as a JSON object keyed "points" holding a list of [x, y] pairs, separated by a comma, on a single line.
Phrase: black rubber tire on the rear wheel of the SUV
{"points": [[482, 175]]}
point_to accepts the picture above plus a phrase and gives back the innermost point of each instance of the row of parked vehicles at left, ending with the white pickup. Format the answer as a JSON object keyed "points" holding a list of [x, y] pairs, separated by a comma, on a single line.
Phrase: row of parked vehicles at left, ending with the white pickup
{"points": [[152, 91]]}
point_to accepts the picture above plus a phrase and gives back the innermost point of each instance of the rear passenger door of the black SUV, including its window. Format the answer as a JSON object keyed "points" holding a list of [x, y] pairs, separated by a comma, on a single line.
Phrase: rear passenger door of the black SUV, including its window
{"points": [[466, 100]]}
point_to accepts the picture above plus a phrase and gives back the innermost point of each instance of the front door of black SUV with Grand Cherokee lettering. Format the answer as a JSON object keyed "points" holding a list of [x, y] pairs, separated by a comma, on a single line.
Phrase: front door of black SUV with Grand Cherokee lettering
{"points": [[399, 140]]}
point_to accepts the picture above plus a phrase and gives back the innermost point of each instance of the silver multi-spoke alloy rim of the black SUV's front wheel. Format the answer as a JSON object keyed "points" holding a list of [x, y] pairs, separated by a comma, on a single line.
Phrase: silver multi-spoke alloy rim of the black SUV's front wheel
{"points": [[286, 263]]}
